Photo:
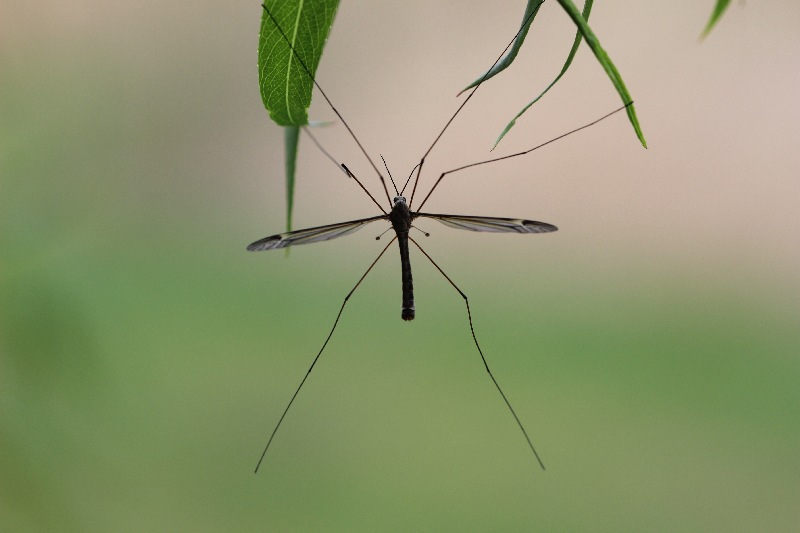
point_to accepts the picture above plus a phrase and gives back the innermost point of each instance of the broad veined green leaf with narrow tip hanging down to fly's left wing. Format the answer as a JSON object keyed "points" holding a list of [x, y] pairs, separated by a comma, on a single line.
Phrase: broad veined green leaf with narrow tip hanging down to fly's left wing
{"points": [[290, 45]]}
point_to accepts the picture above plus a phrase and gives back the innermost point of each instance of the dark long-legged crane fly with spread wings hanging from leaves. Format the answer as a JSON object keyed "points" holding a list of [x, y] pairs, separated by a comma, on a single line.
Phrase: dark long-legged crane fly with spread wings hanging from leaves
{"points": [[401, 216]]}
